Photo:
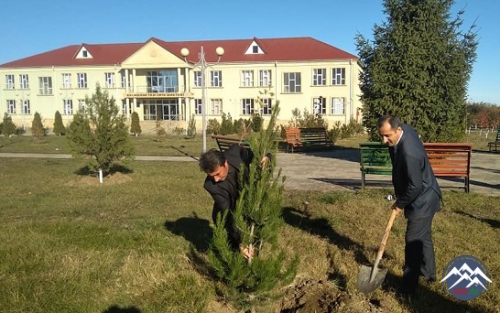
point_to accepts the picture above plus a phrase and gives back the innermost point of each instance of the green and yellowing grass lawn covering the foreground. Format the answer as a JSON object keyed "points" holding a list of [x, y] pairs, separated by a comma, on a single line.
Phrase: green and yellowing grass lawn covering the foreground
{"points": [[72, 245]]}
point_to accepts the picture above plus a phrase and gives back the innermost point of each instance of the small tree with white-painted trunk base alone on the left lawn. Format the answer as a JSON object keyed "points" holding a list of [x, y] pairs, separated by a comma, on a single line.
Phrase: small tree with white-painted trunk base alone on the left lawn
{"points": [[99, 133]]}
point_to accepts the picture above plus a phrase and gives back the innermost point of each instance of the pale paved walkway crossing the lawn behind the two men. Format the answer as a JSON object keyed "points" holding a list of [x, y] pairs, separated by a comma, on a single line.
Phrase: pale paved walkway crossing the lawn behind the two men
{"points": [[339, 170]]}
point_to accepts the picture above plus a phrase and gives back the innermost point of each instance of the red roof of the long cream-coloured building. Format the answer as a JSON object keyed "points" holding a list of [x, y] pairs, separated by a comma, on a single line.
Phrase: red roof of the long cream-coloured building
{"points": [[275, 49]]}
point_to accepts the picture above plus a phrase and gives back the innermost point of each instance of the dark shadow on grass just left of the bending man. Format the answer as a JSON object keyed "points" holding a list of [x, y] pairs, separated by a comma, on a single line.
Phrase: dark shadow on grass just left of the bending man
{"points": [[193, 229]]}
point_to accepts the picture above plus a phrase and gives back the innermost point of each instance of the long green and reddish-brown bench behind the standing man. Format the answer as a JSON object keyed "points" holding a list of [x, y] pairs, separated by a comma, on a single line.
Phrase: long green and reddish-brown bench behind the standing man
{"points": [[446, 159]]}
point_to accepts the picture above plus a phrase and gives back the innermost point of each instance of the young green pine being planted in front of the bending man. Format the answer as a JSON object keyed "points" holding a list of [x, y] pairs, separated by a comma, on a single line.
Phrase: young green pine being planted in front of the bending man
{"points": [[258, 216]]}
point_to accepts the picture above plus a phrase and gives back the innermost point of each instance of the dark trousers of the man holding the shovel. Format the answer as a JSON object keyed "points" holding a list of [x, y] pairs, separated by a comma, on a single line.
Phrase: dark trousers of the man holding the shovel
{"points": [[419, 252]]}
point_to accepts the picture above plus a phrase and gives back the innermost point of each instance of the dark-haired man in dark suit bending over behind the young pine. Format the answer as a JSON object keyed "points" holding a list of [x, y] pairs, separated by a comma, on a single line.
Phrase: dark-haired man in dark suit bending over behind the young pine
{"points": [[222, 182]]}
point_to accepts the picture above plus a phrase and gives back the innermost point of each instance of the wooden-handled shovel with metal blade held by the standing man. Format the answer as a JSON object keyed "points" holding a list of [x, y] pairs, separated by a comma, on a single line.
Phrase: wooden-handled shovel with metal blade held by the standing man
{"points": [[369, 278]]}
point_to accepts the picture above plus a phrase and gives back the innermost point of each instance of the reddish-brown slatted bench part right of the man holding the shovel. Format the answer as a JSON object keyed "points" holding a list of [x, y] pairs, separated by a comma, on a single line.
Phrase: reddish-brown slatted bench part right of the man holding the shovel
{"points": [[450, 160]]}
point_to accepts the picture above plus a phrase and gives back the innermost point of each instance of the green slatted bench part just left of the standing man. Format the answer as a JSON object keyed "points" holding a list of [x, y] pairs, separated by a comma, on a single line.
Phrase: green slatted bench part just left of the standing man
{"points": [[375, 159]]}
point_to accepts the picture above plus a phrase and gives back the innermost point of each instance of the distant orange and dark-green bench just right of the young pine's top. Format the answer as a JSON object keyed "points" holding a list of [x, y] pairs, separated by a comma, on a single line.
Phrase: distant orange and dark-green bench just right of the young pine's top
{"points": [[307, 138]]}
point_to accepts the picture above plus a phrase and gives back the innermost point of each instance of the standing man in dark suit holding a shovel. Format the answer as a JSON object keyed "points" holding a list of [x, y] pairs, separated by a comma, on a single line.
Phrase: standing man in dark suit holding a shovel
{"points": [[417, 194]]}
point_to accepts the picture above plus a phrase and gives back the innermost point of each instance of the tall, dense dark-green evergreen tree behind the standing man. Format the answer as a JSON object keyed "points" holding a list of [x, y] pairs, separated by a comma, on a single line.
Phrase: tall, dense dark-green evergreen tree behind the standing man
{"points": [[417, 68]]}
